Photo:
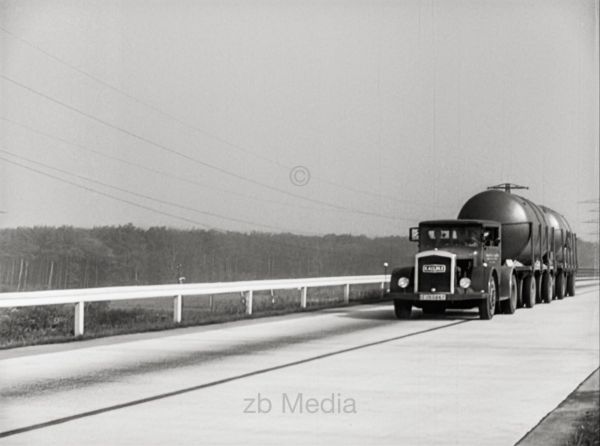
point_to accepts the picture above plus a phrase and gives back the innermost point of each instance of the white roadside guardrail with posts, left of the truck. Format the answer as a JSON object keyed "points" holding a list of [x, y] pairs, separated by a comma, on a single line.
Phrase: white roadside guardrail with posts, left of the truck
{"points": [[80, 296]]}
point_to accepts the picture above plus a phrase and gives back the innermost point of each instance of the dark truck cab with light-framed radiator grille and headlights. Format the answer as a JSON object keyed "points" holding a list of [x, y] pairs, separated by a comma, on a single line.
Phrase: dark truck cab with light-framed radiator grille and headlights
{"points": [[458, 265]]}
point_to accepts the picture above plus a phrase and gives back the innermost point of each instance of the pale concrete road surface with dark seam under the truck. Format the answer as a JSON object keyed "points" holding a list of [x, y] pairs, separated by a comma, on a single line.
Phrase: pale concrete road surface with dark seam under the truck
{"points": [[346, 376]]}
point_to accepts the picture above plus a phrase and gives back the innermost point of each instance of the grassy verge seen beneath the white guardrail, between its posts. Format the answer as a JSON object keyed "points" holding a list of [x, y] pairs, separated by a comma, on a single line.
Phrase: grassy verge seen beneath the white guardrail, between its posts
{"points": [[54, 323]]}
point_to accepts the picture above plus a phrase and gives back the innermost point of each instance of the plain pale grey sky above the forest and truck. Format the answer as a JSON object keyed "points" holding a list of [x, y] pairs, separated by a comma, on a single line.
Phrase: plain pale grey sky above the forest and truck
{"points": [[311, 117]]}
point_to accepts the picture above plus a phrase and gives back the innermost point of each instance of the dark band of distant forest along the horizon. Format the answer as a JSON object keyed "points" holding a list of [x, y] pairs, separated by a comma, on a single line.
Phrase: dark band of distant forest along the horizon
{"points": [[66, 257]]}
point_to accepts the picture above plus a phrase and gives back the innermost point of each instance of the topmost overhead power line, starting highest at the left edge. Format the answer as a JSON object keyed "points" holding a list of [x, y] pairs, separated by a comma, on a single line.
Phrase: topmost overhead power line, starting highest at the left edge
{"points": [[198, 129]]}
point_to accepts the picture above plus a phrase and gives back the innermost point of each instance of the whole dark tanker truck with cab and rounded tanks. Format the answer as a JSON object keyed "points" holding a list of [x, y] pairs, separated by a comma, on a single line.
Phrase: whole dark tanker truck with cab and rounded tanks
{"points": [[501, 252]]}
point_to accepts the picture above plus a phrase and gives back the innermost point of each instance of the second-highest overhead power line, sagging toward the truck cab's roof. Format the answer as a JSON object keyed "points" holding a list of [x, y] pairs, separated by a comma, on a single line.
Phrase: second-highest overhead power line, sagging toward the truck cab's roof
{"points": [[191, 158]]}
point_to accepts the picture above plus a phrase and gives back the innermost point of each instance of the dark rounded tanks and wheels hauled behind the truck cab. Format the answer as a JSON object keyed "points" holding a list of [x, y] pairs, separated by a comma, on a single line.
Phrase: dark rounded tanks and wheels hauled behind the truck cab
{"points": [[536, 240]]}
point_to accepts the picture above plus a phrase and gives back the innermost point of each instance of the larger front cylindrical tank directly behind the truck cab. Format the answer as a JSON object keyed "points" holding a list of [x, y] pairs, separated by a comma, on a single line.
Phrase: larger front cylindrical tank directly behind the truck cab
{"points": [[521, 221]]}
